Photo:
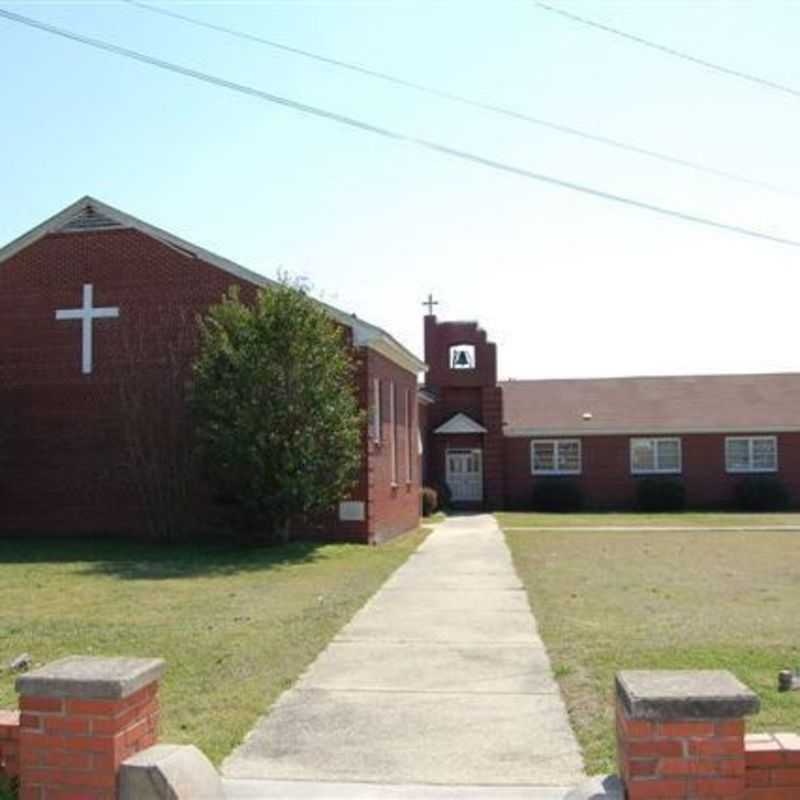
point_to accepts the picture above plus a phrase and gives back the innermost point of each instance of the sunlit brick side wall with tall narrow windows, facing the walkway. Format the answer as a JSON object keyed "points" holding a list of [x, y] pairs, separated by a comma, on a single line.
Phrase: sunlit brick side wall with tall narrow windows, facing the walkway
{"points": [[393, 507]]}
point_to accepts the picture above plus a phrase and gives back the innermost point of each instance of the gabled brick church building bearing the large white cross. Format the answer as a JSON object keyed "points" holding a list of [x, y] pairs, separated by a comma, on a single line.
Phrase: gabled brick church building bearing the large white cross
{"points": [[97, 323]]}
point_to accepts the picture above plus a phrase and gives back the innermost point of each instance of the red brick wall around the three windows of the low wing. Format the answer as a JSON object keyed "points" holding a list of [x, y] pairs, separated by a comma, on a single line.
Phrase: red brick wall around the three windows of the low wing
{"points": [[607, 481]]}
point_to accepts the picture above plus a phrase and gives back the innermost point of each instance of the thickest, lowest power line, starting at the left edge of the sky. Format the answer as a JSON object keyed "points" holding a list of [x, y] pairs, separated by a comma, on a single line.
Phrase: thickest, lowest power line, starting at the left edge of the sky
{"points": [[385, 132]]}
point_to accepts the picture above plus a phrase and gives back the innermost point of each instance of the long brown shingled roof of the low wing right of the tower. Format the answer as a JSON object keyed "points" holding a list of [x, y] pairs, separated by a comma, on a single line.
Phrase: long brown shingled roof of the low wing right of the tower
{"points": [[670, 404]]}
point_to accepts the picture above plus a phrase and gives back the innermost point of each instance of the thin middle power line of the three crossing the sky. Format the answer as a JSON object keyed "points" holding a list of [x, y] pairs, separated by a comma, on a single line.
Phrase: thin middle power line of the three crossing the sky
{"points": [[461, 99]]}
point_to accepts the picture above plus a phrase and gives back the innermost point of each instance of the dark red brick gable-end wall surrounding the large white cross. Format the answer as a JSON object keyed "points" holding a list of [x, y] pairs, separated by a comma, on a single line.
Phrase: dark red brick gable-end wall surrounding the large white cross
{"points": [[64, 467]]}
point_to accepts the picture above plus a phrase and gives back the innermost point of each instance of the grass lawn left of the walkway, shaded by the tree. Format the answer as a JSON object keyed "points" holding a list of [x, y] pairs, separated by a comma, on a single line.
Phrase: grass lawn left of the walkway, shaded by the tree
{"points": [[236, 626]]}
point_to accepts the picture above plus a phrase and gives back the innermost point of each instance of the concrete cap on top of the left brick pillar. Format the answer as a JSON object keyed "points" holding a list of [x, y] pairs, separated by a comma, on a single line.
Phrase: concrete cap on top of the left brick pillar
{"points": [[91, 677]]}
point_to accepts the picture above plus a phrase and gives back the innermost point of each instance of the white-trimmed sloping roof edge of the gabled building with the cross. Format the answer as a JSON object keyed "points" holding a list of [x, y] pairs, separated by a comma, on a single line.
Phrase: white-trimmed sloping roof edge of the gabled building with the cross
{"points": [[88, 213]]}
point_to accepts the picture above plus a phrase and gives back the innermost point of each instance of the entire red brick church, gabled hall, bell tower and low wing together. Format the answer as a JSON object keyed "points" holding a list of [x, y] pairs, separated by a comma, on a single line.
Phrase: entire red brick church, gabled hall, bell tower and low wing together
{"points": [[97, 330]]}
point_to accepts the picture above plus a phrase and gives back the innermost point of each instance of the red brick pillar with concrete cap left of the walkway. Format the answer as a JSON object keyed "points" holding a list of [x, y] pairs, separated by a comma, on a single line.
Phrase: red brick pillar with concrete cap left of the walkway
{"points": [[81, 717]]}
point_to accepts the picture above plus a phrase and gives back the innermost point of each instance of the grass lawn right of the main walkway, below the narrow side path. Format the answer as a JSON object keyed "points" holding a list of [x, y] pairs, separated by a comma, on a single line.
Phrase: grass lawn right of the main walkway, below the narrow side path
{"points": [[645, 600]]}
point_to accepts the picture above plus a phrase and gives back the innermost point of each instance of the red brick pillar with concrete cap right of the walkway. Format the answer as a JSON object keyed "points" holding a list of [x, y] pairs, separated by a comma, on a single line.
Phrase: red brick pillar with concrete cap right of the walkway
{"points": [[680, 734]]}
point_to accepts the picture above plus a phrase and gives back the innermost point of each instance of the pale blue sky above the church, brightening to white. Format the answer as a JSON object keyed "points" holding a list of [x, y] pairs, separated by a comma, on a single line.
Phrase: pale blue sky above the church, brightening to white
{"points": [[568, 285]]}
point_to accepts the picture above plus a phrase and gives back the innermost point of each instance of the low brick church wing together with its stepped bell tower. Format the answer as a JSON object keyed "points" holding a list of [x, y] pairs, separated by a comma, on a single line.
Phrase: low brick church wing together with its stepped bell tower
{"points": [[491, 441]]}
